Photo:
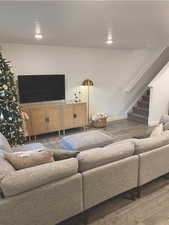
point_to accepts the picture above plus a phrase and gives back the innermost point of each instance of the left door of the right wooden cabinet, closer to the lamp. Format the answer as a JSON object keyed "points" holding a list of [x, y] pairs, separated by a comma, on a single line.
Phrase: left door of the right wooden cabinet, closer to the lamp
{"points": [[68, 116]]}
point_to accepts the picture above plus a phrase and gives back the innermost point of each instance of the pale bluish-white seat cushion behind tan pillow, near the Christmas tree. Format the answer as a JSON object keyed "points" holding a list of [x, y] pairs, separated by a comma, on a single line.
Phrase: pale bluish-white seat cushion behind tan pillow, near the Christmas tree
{"points": [[29, 147]]}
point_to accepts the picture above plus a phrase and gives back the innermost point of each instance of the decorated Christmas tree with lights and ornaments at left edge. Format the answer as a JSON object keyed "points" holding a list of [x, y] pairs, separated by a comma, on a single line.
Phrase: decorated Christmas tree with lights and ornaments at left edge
{"points": [[11, 122]]}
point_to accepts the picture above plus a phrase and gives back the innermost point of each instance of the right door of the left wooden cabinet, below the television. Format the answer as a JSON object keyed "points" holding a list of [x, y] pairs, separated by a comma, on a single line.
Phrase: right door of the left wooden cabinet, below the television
{"points": [[53, 117]]}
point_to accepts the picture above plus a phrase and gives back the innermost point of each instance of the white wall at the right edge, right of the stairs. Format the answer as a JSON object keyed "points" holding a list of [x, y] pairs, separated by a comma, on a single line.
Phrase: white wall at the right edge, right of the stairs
{"points": [[159, 96]]}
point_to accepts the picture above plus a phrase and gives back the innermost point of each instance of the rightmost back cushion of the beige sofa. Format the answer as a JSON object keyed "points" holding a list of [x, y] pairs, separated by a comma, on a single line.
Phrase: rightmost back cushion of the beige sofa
{"points": [[151, 143]]}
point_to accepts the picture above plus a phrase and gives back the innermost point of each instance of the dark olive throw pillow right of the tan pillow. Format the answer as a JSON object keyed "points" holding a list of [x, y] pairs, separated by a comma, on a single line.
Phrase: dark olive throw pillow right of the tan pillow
{"points": [[60, 154]]}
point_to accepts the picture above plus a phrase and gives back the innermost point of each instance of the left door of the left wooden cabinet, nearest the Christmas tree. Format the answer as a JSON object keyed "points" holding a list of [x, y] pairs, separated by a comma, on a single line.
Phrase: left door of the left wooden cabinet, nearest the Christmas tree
{"points": [[39, 123]]}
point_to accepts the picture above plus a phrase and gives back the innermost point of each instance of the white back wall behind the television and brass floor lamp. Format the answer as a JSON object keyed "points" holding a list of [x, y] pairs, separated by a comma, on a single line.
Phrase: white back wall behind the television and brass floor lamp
{"points": [[110, 69]]}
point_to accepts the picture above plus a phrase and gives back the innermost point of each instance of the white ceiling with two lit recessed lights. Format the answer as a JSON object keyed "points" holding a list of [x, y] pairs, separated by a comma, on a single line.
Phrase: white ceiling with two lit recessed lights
{"points": [[133, 24]]}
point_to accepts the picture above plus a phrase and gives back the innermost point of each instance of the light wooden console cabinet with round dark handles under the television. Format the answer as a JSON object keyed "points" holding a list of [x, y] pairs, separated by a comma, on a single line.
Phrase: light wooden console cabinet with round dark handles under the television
{"points": [[50, 117]]}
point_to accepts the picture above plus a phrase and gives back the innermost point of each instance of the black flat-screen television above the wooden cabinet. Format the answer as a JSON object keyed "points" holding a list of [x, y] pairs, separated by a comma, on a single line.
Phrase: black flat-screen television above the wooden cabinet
{"points": [[37, 88]]}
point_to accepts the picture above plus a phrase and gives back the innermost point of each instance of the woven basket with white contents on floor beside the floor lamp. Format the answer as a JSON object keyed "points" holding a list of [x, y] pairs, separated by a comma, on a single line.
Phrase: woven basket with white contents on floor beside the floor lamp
{"points": [[99, 120]]}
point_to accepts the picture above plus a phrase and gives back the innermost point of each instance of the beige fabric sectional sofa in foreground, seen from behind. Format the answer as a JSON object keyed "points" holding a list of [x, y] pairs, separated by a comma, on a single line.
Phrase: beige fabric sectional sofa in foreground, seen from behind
{"points": [[50, 193]]}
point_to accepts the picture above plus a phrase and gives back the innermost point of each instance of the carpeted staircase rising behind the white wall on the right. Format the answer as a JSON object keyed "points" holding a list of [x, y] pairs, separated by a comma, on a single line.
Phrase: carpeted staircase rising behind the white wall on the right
{"points": [[141, 110]]}
